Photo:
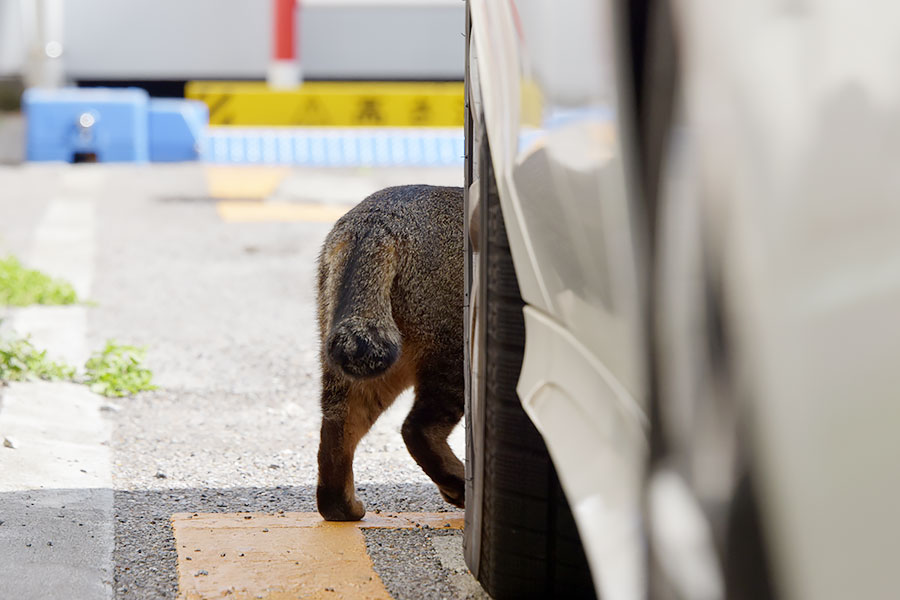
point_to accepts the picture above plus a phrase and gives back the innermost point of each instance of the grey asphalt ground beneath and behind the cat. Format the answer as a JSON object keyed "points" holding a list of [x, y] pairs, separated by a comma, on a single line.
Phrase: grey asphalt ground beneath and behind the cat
{"points": [[225, 308]]}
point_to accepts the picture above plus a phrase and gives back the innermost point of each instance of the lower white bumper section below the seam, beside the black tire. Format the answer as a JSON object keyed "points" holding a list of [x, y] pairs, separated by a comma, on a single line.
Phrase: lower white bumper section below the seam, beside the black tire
{"points": [[598, 446]]}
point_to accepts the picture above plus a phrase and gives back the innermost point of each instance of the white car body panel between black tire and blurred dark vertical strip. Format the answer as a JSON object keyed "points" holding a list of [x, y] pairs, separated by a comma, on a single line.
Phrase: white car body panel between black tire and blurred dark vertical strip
{"points": [[549, 97]]}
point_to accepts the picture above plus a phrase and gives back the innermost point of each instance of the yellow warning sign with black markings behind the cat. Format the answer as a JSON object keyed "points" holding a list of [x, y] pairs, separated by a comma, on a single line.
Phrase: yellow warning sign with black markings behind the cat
{"points": [[338, 104]]}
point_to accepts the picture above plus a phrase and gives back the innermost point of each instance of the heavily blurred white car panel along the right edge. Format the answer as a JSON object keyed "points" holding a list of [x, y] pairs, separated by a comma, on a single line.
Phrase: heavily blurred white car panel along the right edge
{"points": [[794, 107]]}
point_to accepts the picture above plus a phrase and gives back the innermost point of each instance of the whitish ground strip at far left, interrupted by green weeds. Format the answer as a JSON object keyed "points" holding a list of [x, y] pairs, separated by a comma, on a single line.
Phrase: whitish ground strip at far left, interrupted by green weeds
{"points": [[56, 496]]}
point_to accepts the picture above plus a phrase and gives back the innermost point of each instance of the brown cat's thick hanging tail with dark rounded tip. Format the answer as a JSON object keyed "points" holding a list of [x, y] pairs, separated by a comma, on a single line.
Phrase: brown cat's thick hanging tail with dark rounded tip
{"points": [[359, 335]]}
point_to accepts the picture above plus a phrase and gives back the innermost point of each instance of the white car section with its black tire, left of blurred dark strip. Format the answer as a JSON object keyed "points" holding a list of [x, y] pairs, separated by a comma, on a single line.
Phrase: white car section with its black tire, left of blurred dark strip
{"points": [[548, 258]]}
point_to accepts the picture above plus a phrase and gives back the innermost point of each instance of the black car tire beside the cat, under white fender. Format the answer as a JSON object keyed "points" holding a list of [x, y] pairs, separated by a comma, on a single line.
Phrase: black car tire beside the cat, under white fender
{"points": [[528, 542]]}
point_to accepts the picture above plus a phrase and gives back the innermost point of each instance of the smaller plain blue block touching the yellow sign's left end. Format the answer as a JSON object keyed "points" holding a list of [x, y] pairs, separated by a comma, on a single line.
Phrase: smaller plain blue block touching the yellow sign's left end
{"points": [[177, 128]]}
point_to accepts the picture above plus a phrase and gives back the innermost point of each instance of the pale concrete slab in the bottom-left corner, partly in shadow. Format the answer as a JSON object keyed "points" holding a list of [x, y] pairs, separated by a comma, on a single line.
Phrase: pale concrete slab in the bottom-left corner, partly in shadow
{"points": [[56, 496]]}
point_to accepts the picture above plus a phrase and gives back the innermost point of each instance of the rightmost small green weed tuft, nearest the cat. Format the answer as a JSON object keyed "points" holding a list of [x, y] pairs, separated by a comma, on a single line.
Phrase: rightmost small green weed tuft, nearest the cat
{"points": [[117, 371]]}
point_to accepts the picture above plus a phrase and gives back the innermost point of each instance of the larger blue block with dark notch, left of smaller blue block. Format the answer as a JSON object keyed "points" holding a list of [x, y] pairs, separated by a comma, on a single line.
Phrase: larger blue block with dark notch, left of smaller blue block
{"points": [[110, 125]]}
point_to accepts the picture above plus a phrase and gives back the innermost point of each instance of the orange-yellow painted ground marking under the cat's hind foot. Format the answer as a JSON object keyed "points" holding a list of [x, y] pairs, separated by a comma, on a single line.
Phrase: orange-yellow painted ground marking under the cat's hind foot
{"points": [[287, 555]]}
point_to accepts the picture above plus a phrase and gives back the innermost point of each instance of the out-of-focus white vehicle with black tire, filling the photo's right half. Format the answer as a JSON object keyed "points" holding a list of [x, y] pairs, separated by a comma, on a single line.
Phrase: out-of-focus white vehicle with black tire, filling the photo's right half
{"points": [[684, 273]]}
